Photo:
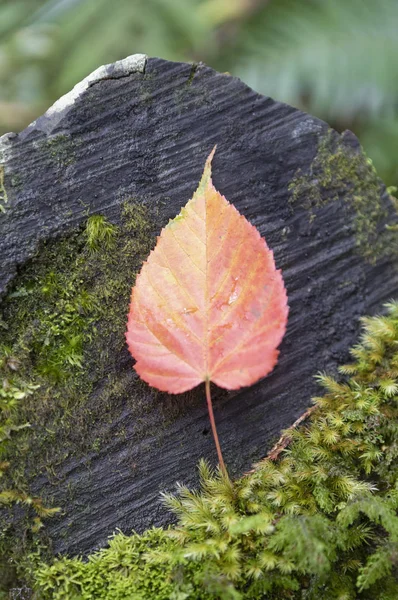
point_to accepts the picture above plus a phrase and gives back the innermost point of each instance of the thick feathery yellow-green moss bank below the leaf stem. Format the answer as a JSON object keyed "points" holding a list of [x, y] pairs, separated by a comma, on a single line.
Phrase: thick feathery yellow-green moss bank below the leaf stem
{"points": [[319, 522]]}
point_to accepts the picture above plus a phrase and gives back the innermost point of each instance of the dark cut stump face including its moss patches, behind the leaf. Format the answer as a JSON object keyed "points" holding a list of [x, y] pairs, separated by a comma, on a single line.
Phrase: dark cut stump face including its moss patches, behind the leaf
{"points": [[127, 146]]}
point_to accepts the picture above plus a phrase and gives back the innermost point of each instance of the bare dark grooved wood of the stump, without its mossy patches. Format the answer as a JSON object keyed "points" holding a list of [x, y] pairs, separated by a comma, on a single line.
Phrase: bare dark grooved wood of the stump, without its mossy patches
{"points": [[145, 134]]}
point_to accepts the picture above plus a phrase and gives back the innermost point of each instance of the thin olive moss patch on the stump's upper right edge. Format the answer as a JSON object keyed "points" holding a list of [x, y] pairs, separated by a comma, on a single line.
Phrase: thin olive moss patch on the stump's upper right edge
{"points": [[339, 172]]}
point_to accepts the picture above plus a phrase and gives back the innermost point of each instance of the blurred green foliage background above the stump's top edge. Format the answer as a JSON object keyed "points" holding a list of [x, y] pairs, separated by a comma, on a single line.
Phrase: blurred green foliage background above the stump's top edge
{"points": [[336, 59]]}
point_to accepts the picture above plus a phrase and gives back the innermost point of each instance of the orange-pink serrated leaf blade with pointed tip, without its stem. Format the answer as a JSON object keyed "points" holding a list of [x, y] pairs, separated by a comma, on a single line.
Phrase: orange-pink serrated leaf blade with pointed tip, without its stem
{"points": [[208, 303]]}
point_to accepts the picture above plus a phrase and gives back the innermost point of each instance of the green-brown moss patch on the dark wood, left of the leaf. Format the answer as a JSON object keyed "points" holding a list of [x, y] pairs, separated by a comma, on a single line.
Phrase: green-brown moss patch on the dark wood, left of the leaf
{"points": [[62, 342]]}
